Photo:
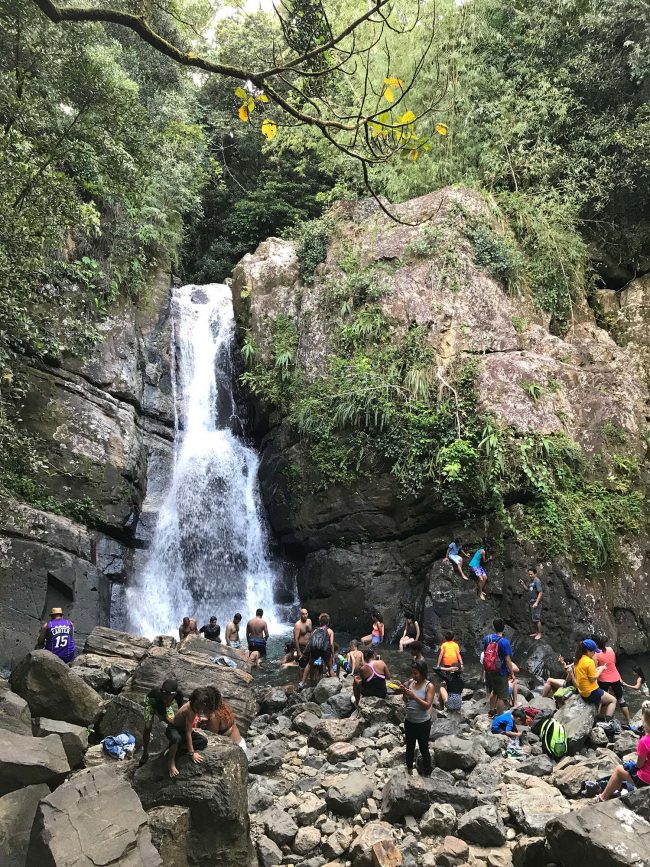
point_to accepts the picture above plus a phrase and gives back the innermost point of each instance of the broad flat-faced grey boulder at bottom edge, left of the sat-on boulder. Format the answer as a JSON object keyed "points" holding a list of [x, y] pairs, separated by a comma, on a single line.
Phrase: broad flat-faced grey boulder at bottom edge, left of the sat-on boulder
{"points": [[94, 818]]}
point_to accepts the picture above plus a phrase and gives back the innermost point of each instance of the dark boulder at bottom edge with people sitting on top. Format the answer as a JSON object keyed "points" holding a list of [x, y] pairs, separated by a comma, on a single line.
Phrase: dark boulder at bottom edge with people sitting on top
{"points": [[215, 794]]}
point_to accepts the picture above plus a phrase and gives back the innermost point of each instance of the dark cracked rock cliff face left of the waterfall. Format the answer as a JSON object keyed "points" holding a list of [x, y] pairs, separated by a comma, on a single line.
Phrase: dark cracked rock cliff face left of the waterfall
{"points": [[103, 423]]}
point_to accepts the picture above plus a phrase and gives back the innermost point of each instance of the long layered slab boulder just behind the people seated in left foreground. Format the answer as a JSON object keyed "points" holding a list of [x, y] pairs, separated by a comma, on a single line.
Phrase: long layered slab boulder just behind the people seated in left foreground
{"points": [[193, 670]]}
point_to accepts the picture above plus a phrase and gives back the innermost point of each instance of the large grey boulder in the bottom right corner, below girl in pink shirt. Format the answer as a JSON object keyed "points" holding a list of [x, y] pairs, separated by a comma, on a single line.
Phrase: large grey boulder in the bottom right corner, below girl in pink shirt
{"points": [[600, 835]]}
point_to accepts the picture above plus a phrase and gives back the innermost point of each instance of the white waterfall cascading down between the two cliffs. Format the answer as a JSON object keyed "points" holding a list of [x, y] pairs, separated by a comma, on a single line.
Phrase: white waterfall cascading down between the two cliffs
{"points": [[209, 554]]}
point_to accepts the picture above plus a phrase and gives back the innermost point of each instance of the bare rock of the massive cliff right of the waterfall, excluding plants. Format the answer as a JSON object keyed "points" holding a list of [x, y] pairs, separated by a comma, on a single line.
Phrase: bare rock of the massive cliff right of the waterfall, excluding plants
{"points": [[365, 544]]}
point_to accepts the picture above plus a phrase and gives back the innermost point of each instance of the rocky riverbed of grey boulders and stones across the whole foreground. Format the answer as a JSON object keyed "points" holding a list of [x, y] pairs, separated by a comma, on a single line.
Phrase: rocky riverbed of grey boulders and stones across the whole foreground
{"points": [[323, 784]]}
